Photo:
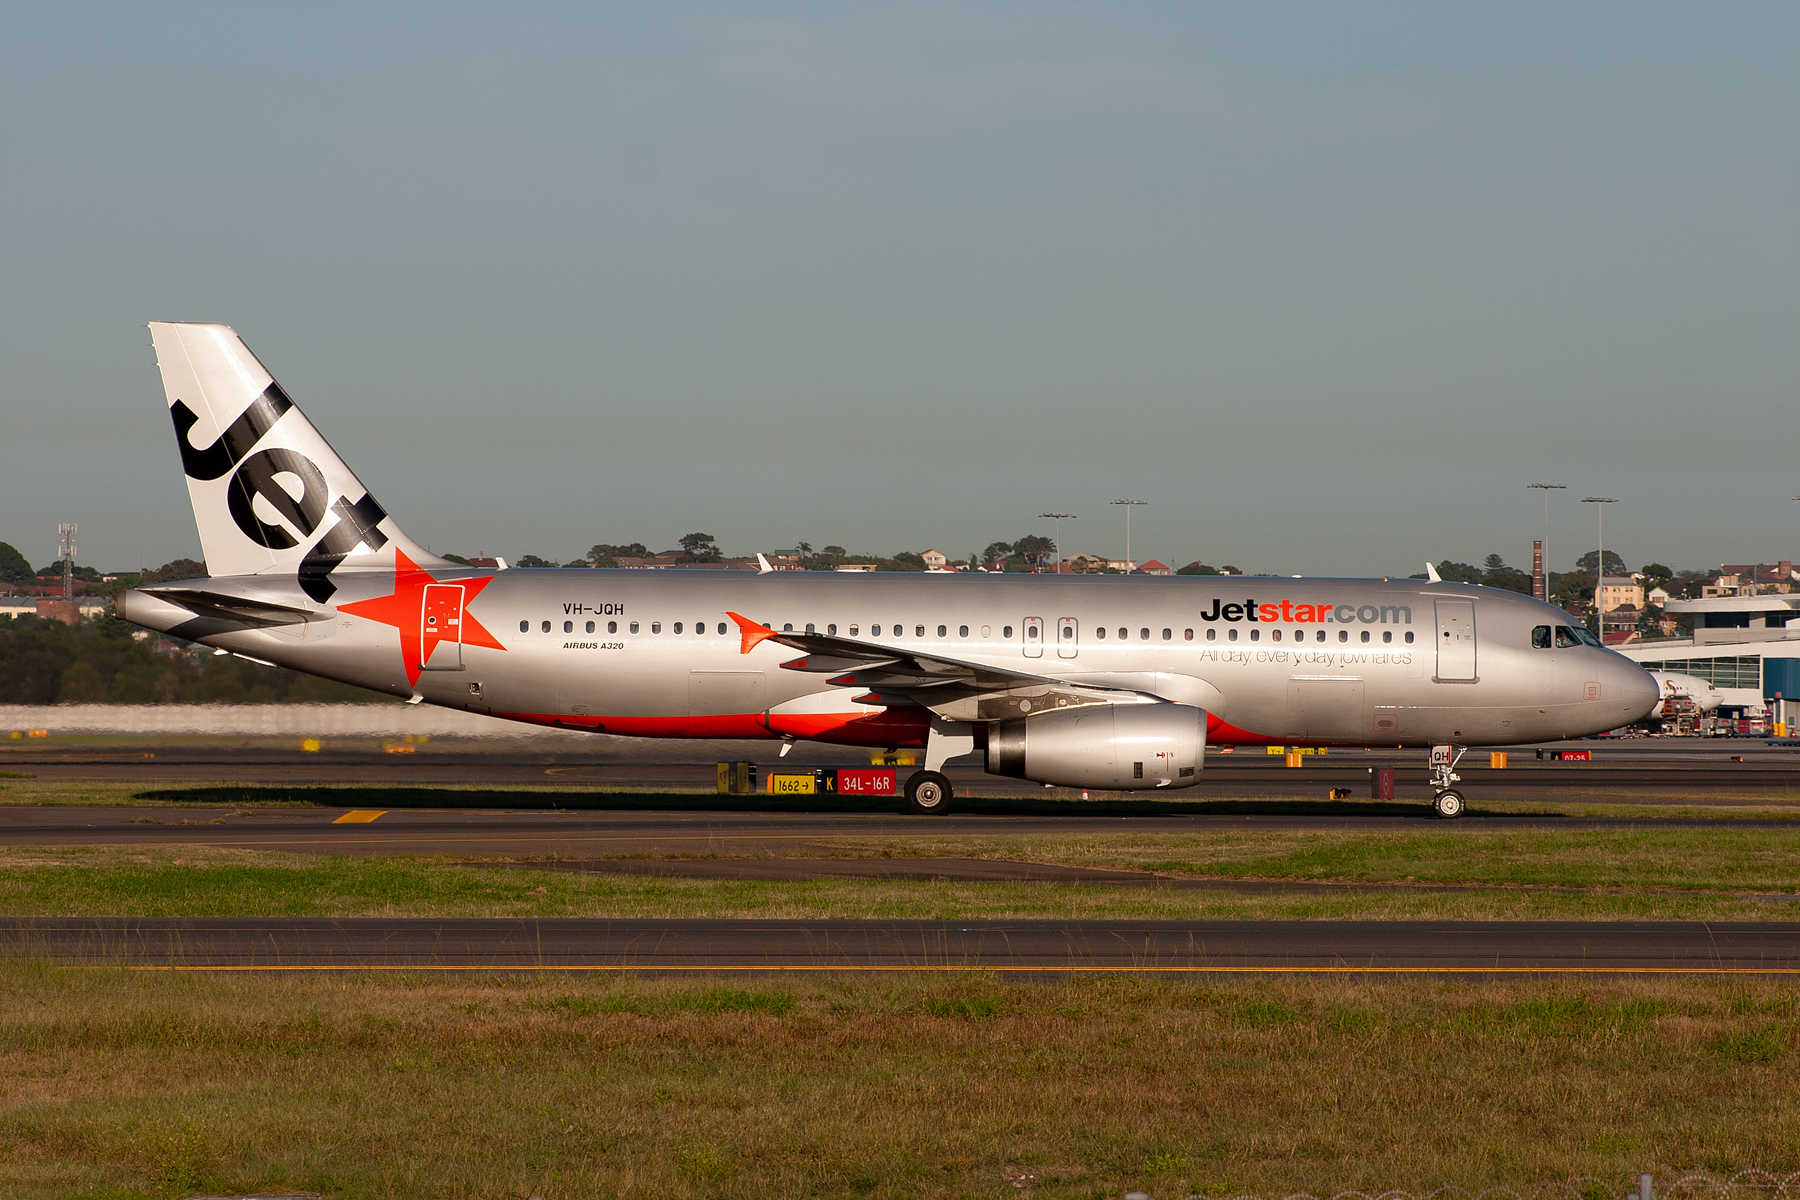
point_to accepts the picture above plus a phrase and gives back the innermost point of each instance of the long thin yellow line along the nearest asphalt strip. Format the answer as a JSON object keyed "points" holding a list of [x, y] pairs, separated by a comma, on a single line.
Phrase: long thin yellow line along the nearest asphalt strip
{"points": [[1036, 971]]}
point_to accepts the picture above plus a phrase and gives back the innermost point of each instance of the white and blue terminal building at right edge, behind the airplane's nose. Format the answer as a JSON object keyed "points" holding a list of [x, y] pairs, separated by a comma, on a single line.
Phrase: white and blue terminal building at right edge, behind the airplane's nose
{"points": [[1747, 647]]}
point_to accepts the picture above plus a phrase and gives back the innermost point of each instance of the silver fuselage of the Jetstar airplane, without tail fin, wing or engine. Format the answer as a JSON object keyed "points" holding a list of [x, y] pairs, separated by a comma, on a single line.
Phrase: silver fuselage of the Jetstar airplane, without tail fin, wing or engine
{"points": [[658, 654]]}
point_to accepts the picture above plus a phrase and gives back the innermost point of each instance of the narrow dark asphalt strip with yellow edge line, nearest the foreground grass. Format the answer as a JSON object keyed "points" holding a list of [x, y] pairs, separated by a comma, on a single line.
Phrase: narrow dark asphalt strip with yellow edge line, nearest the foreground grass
{"points": [[1023, 947]]}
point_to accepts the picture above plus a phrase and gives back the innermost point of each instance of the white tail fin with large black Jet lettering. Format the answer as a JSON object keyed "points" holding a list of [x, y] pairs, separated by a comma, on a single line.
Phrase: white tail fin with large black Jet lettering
{"points": [[269, 494]]}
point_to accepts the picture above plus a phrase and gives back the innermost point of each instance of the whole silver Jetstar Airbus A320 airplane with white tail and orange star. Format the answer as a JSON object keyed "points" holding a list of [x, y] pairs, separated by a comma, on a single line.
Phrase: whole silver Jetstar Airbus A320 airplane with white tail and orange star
{"points": [[1066, 681]]}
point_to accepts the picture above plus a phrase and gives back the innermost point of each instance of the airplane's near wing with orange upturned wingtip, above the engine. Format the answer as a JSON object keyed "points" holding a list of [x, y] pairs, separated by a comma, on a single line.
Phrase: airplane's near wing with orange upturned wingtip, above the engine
{"points": [[951, 688]]}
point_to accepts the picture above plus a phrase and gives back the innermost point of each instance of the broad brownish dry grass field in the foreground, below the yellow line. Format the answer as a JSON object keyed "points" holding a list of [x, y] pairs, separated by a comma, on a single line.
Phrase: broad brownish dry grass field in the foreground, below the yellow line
{"points": [[123, 1086]]}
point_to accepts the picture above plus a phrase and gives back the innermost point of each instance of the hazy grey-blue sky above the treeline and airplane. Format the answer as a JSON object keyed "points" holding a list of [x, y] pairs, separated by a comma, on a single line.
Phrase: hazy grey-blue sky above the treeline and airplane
{"points": [[1327, 285]]}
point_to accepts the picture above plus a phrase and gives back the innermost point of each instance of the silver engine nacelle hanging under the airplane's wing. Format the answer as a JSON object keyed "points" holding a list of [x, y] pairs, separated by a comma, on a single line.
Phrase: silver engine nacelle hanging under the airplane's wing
{"points": [[1135, 746]]}
